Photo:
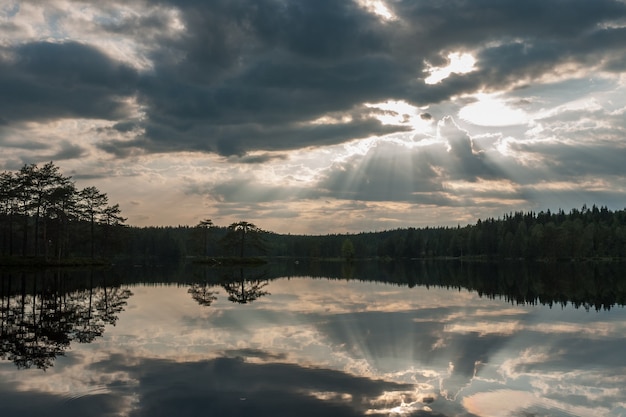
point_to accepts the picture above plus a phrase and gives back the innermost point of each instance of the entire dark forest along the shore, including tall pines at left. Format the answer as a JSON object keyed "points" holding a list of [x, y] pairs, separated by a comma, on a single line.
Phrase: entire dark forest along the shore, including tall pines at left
{"points": [[44, 216]]}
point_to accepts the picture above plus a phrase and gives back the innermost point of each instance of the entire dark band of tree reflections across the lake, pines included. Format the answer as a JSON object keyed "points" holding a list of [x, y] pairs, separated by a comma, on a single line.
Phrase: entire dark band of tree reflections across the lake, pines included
{"points": [[42, 312]]}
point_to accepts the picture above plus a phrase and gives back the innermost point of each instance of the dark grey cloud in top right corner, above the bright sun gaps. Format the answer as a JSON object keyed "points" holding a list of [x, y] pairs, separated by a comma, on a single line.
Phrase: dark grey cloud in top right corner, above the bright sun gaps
{"points": [[465, 24]]}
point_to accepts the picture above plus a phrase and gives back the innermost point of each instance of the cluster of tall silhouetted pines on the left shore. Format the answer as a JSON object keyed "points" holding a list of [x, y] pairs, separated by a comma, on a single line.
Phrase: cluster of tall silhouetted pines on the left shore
{"points": [[44, 215]]}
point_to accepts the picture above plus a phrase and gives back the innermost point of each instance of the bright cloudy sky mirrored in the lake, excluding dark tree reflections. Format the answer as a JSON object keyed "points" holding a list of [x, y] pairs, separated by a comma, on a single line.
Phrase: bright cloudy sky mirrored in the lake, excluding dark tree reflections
{"points": [[384, 355]]}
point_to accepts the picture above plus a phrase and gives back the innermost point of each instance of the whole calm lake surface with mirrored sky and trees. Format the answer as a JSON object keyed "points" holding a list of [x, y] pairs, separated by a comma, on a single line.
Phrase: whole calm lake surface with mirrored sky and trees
{"points": [[313, 339]]}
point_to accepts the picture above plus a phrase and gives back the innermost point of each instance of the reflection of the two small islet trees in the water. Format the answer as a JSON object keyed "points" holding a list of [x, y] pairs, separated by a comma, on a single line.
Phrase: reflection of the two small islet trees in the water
{"points": [[241, 285]]}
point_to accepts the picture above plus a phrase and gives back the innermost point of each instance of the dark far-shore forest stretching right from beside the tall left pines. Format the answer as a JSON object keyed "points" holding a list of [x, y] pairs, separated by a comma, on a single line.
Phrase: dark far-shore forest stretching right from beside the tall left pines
{"points": [[587, 233]]}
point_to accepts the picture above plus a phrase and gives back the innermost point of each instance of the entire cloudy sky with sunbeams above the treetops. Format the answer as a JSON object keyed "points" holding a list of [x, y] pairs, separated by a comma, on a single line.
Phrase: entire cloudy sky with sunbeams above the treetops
{"points": [[320, 116]]}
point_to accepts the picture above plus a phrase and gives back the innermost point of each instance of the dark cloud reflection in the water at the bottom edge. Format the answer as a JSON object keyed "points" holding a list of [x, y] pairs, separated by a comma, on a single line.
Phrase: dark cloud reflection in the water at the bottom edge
{"points": [[233, 386]]}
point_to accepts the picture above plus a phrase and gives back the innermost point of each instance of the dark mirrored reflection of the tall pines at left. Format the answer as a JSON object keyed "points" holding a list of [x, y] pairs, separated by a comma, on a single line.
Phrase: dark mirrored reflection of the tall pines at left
{"points": [[40, 316]]}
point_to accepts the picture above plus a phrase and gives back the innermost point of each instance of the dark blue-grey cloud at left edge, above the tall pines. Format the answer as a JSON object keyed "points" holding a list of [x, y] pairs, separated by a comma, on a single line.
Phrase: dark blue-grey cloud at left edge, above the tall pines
{"points": [[43, 80]]}
